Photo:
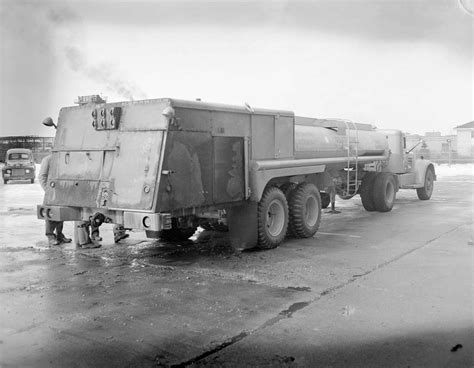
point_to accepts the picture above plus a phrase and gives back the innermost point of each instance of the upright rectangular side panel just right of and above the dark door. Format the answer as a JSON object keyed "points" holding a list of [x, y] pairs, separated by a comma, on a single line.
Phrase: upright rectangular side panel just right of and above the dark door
{"points": [[263, 137]]}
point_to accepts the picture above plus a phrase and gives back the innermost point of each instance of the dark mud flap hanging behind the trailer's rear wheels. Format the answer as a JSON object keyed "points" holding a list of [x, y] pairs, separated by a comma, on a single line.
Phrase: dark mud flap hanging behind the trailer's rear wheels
{"points": [[242, 221]]}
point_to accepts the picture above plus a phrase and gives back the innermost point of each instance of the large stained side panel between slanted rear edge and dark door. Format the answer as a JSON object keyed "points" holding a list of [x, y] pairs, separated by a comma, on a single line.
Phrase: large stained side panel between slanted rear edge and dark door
{"points": [[186, 171]]}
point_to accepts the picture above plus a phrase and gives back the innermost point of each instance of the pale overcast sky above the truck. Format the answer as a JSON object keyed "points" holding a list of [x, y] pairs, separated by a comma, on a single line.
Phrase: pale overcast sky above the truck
{"points": [[403, 64]]}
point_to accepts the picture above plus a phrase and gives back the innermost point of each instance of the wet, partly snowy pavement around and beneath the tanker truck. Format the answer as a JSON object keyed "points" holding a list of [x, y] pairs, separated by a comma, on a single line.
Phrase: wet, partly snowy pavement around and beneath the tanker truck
{"points": [[370, 289]]}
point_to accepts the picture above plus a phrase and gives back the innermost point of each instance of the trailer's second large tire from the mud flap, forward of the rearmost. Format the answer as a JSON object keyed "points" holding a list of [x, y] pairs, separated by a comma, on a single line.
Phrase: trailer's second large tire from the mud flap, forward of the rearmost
{"points": [[305, 210]]}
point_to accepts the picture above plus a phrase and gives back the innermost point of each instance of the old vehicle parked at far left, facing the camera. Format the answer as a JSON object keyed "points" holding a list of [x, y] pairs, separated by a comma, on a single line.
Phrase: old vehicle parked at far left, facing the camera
{"points": [[19, 165]]}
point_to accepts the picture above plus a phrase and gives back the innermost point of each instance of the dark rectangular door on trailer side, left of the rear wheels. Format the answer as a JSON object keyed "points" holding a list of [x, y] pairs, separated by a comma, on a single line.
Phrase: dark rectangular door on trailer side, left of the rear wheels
{"points": [[229, 181]]}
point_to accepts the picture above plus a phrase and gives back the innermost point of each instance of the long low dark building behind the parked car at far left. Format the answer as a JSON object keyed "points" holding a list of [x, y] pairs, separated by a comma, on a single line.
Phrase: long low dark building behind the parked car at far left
{"points": [[40, 146]]}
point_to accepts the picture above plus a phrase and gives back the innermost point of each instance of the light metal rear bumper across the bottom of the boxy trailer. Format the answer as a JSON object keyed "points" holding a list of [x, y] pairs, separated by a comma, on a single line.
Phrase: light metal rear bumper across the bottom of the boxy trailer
{"points": [[130, 220]]}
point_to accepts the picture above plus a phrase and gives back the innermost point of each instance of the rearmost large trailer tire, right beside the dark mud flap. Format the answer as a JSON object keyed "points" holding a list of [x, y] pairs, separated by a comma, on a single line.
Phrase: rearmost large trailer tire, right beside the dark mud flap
{"points": [[272, 216]]}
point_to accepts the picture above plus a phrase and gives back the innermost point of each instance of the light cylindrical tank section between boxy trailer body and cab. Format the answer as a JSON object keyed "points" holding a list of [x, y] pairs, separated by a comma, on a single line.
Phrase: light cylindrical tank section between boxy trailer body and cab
{"points": [[322, 142]]}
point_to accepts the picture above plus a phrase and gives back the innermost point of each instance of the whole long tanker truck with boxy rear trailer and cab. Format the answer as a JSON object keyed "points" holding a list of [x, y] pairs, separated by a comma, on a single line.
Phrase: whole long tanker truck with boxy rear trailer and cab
{"points": [[167, 166]]}
